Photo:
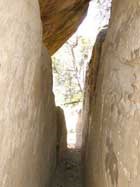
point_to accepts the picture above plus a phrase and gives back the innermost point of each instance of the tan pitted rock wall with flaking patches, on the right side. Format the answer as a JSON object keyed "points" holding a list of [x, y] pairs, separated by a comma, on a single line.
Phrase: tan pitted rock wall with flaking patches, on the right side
{"points": [[113, 151]]}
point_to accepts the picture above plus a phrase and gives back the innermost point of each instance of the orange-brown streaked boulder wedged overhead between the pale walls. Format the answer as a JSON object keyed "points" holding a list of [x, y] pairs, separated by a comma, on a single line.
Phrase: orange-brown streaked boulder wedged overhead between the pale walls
{"points": [[60, 20]]}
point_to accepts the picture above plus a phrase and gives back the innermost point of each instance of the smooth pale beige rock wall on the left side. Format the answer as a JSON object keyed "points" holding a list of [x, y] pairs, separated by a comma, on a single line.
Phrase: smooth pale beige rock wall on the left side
{"points": [[27, 109]]}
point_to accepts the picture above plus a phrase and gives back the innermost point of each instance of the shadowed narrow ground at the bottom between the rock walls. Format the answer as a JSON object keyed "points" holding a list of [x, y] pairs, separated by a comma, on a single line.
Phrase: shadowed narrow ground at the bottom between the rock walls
{"points": [[68, 172]]}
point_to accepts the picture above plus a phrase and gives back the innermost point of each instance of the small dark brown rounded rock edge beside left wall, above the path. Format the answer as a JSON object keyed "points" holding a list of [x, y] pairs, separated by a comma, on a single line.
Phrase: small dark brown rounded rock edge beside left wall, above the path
{"points": [[61, 133]]}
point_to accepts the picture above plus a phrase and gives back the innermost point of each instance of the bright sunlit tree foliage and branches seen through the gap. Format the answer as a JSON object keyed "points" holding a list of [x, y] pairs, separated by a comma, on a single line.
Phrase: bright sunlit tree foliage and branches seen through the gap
{"points": [[69, 71]]}
